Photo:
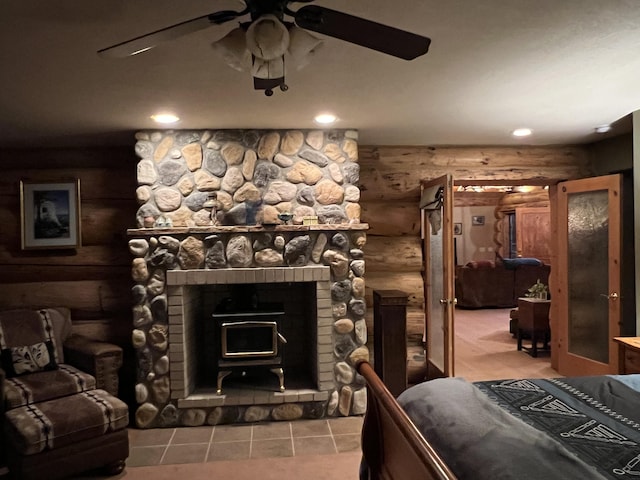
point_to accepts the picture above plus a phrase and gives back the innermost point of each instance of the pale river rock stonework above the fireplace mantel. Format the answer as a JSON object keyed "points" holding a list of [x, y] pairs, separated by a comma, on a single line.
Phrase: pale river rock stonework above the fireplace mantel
{"points": [[305, 173]]}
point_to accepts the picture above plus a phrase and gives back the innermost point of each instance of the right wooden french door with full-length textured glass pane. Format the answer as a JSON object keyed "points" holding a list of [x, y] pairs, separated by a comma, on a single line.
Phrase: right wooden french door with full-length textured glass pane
{"points": [[587, 297]]}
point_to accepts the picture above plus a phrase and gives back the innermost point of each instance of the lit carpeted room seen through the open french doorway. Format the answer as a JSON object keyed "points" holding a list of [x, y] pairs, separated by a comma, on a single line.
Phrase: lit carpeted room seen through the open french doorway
{"points": [[491, 223]]}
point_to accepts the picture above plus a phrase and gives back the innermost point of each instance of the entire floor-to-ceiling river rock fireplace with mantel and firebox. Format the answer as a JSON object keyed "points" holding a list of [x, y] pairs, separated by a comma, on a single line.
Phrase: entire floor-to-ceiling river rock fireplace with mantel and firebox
{"points": [[188, 264]]}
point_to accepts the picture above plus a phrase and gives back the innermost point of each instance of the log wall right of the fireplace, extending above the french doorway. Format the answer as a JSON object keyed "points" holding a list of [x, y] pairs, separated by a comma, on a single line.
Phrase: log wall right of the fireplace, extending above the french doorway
{"points": [[390, 183]]}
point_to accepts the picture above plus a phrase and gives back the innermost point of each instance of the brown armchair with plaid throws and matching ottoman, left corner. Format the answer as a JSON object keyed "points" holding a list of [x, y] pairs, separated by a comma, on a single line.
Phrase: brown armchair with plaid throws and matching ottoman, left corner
{"points": [[58, 407]]}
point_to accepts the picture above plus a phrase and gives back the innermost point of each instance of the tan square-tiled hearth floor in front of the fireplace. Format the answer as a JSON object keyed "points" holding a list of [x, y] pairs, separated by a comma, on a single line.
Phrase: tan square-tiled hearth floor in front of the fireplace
{"points": [[237, 442]]}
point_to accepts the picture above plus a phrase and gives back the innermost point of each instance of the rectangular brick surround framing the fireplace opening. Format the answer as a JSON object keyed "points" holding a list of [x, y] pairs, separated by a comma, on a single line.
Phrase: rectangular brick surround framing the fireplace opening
{"points": [[183, 333]]}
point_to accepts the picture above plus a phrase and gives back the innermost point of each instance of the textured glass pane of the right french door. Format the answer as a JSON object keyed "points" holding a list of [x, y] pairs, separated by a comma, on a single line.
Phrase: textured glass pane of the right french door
{"points": [[588, 275]]}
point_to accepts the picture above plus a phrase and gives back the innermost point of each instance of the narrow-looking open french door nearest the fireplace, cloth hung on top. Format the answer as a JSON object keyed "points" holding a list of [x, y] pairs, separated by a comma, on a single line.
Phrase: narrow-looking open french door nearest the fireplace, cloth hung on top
{"points": [[439, 287]]}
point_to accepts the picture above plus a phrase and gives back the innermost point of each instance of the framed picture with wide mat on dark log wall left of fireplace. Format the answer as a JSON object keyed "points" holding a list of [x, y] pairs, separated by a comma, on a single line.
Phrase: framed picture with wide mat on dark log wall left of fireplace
{"points": [[50, 215]]}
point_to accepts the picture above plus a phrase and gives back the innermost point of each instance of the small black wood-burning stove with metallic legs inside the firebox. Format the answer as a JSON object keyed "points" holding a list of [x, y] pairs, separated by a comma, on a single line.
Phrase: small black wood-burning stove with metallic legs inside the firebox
{"points": [[249, 340]]}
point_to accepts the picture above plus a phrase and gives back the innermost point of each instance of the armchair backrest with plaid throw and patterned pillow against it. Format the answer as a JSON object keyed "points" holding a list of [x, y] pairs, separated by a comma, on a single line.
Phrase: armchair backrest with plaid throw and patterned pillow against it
{"points": [[28, 341]]}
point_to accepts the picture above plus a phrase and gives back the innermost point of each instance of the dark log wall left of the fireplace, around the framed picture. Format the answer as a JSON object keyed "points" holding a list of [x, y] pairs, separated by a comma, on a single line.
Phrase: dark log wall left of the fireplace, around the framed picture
{"points": [[94, 280]]}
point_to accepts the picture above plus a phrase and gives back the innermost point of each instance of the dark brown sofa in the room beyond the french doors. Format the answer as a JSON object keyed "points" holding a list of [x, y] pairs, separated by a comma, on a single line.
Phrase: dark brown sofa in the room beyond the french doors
{"points": [[497, 284]]}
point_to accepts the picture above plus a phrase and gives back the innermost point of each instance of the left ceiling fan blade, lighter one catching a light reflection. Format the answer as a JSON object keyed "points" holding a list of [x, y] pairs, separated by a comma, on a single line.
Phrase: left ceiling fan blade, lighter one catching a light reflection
{"points": [[148, 41]]}
